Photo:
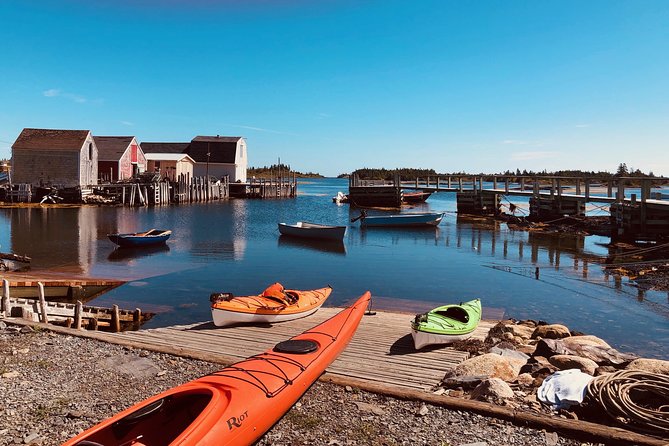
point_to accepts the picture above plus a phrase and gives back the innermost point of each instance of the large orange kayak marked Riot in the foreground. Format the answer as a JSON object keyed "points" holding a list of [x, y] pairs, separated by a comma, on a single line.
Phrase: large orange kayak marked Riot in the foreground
{"points": [[236, 405]]}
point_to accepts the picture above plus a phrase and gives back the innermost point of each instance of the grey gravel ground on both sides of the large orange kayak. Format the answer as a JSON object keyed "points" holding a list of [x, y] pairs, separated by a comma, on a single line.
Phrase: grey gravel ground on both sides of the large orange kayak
{"points": [[53, 386]]}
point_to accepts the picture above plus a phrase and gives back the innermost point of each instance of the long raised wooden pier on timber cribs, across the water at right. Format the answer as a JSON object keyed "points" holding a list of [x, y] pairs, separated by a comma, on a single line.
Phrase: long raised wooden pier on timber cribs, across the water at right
{"points": [[643, 214]]}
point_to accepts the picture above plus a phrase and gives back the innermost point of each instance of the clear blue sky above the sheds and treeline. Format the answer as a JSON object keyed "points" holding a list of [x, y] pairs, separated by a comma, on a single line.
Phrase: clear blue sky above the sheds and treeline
{"points": [[331, 86]]}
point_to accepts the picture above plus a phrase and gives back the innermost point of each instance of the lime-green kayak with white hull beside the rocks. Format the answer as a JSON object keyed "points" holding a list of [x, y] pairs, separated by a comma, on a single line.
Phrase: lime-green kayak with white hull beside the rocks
{"points": [[446, 324]]}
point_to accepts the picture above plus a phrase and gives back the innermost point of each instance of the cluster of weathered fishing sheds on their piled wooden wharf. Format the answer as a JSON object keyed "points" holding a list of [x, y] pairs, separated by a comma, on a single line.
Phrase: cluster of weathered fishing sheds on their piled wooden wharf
{"points": [[53, 166]]}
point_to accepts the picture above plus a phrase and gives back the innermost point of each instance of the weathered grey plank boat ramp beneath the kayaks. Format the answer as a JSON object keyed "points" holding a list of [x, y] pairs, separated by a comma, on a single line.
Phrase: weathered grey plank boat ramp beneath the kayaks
{"points": [[381, 351]]}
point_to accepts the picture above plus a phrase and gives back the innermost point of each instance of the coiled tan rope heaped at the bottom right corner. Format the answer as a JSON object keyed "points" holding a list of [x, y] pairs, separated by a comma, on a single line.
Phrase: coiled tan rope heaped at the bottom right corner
{"points": [[635, 398]]}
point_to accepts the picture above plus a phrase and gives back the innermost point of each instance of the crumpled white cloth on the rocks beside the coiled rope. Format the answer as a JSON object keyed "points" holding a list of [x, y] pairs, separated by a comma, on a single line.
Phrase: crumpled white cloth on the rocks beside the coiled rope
{"points": [[564, 388]]}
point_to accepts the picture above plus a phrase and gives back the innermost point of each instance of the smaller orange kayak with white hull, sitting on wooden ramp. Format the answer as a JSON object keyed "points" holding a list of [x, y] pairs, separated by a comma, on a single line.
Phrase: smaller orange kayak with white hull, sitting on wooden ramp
{"points": [[274, 304]]}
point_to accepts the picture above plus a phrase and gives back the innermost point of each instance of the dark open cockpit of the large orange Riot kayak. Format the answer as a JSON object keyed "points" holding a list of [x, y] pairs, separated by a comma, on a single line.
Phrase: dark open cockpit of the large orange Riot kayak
{"points": [[159, 422]]}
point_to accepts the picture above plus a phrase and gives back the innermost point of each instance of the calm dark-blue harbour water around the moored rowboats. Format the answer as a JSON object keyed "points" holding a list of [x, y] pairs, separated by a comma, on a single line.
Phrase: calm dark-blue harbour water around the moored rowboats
{"points": [[235, 246]]}
